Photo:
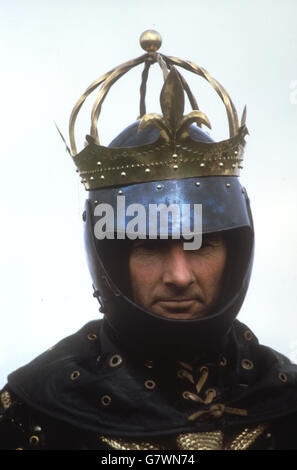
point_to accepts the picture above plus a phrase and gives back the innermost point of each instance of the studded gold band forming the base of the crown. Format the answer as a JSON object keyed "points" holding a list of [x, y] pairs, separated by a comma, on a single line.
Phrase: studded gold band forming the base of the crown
{"points": [[128, 165]]}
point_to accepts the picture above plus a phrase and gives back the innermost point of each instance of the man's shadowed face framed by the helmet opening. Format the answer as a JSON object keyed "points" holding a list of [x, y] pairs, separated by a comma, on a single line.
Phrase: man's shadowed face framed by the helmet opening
{"points": [[176, 283]]}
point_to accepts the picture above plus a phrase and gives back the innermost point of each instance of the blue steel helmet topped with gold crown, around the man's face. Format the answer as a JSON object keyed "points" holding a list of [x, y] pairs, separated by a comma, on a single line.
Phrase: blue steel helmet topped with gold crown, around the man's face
{"points": [[163, 159]]}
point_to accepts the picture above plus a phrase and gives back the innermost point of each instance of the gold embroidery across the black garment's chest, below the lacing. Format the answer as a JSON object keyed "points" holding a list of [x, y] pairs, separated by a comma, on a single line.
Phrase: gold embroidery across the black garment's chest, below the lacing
{"points": [[213, 440]]}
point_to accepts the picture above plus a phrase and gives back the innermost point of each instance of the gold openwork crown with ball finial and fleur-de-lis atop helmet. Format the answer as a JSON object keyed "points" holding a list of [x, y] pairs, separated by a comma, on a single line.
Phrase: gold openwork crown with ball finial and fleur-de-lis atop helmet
{"points": [[174, 155]]}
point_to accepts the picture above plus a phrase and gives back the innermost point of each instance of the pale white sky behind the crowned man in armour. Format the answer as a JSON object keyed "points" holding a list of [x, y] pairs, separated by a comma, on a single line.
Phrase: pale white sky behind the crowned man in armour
{"points": [[51, 50]]}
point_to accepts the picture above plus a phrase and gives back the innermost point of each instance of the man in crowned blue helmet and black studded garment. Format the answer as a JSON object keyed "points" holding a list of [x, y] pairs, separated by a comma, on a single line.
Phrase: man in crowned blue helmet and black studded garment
{"points": [[169, 366]]}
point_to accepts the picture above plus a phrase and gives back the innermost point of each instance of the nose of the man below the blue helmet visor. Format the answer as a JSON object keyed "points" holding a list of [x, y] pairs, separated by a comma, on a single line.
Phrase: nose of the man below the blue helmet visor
{"points": [[177, 271]]}
